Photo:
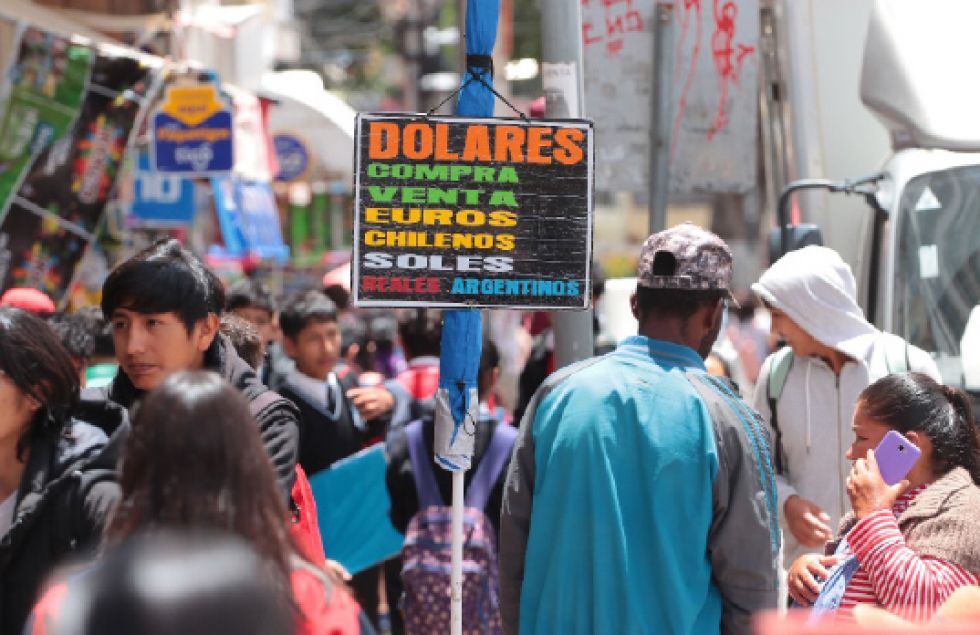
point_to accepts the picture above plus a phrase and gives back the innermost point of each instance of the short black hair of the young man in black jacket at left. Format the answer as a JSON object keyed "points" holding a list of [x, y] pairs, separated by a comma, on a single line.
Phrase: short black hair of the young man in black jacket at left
{"points": [[164, 278]]}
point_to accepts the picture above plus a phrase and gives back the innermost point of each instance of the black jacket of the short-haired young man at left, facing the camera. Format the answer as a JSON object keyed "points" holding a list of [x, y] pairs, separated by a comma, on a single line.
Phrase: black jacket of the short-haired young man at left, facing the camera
{"points": [[278, 421]]}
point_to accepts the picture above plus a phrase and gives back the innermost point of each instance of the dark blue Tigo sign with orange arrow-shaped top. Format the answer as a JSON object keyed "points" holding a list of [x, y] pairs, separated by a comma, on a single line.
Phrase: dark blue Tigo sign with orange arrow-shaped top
{"points": [[192, 132]]}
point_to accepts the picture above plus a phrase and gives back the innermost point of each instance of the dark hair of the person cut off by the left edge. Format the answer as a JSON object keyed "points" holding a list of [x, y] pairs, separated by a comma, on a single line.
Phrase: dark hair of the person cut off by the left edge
{"points": [[32, 357]]}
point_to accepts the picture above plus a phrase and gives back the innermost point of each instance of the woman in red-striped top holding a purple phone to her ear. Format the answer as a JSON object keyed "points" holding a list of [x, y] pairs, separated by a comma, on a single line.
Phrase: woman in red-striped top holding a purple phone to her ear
{"points": [[904, 546]]}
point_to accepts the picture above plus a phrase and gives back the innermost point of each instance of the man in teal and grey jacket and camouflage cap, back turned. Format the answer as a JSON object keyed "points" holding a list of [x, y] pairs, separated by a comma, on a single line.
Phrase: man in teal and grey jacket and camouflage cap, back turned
{"points": [[640, 498]]}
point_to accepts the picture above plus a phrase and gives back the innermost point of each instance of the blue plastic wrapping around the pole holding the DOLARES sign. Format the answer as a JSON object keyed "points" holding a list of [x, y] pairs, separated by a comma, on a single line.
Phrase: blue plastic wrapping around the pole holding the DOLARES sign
{"points": [[462, 330]]}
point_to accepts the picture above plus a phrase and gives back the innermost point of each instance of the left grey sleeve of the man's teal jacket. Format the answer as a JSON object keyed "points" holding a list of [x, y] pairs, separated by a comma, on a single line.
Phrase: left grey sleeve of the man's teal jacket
{"points": [[515, 519]]}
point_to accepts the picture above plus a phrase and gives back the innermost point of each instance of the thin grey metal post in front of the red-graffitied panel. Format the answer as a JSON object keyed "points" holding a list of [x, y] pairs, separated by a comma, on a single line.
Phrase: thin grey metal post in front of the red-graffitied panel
{"points": [[660, 114]]}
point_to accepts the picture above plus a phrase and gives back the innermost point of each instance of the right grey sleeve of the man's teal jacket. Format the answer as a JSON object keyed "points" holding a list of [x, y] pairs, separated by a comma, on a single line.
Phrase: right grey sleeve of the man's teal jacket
{"points": [[743, 542]]}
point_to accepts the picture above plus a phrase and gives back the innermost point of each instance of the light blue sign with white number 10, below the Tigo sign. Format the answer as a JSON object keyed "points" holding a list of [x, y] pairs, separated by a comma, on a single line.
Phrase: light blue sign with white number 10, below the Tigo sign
{"points": [[161, 199]]}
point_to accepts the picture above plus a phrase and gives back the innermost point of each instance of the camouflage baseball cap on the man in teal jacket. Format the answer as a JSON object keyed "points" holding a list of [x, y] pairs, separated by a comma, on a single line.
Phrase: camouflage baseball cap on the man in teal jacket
{"points": [[697, 259]]}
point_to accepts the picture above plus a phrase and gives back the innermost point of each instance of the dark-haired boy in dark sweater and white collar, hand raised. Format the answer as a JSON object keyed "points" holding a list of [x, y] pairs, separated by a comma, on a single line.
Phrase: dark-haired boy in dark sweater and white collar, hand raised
{"points": [[337, 416]]}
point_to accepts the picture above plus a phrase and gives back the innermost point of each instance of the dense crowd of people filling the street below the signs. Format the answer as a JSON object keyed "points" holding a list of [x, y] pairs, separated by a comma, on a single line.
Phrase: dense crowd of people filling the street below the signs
{"points": [[156, 451]]}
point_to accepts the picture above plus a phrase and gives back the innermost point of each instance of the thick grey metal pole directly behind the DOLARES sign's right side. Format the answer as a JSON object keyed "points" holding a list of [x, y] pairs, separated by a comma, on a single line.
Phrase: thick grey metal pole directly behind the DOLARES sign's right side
{"points": [[561, 43]]}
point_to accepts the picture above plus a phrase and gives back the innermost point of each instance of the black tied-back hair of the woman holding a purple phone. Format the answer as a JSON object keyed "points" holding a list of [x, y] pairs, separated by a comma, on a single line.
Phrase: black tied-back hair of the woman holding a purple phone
{"points": [[914, 402]]}
